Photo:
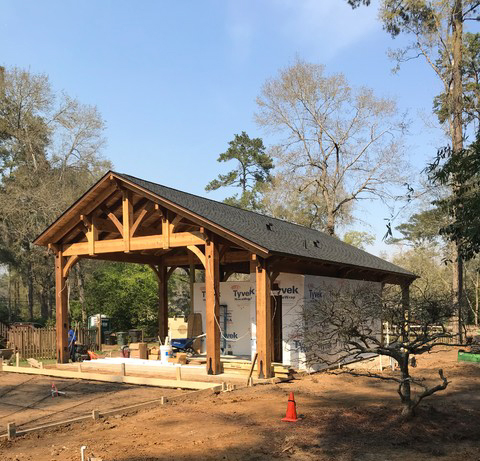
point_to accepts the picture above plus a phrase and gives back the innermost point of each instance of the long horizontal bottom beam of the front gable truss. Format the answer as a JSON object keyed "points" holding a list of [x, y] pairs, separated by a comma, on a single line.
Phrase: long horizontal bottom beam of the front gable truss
{"points": [[149, 242]]}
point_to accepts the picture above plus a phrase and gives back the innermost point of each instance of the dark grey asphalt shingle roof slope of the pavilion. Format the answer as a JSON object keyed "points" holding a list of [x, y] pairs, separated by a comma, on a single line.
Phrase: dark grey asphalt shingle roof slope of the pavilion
{"points": [[284, 237]]}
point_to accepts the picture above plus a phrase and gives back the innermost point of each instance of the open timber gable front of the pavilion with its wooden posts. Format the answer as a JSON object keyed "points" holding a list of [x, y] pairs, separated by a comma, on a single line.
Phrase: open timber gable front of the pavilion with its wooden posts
{"points": [[120, 222]]}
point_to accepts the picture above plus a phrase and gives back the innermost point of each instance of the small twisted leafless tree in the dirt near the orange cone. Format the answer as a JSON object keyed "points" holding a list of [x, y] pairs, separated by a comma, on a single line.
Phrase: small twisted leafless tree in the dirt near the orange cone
{"points": [[345, 326]]}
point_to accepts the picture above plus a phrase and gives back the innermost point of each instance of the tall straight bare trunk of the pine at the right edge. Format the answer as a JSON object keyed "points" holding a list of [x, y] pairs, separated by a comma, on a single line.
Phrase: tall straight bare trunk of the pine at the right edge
{"points": [[457, 143]]}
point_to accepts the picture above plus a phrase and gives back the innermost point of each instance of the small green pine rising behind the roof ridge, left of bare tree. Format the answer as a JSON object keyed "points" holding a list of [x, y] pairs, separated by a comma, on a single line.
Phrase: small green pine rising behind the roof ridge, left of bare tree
{"points": [[251, 173]]}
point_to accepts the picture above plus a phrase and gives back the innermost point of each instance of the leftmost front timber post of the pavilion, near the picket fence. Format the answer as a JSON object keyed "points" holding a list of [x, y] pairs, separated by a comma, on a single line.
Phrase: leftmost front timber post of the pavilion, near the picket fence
{"points": [[61, 308]]}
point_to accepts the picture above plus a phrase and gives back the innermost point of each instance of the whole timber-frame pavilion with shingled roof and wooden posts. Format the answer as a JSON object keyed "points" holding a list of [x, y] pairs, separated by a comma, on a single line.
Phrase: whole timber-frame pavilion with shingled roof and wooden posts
{"points": [[126, 219]]}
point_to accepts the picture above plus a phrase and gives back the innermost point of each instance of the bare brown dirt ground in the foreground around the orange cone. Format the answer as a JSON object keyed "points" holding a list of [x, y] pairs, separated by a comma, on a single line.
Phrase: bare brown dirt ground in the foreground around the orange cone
{"points": [[345, 418]]}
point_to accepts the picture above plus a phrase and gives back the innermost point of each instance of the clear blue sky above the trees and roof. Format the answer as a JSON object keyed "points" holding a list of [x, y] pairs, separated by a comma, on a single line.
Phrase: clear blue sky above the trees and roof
{"points": [[175, 80]]}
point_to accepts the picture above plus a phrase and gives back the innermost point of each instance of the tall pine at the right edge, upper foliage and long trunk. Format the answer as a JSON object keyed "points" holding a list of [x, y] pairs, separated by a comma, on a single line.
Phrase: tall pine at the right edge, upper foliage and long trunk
{"points": [[437, 31]]}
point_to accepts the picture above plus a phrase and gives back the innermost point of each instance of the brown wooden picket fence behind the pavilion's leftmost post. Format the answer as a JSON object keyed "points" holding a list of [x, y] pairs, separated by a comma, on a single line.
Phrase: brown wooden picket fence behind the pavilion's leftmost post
{"points": [[40, 343]]}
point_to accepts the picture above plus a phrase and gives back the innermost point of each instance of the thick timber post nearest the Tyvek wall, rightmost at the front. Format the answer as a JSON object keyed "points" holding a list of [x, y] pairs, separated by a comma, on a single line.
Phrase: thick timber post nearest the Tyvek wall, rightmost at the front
{"points": [[264, 320]]}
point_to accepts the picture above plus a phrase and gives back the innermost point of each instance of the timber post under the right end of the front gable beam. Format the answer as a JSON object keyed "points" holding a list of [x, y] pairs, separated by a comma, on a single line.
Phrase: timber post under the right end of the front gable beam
{"points": [[212, 288]]}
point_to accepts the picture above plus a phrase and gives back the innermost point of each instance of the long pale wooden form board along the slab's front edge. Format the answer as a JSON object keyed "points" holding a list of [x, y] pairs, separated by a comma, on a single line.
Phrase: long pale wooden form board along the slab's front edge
{"points": [[167, 383]]}
